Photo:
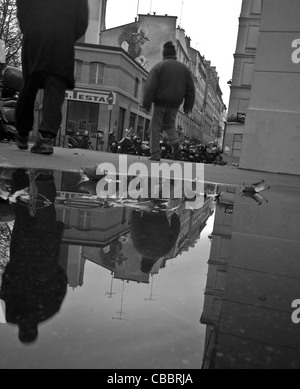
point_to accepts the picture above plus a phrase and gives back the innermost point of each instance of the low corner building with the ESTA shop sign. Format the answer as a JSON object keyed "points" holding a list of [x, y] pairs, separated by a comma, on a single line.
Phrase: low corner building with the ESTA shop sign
{"points": [[106, 97]]}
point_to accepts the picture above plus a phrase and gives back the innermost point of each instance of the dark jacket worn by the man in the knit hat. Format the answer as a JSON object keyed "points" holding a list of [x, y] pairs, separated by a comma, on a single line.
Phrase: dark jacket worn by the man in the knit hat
{"points": [[170, 83]]}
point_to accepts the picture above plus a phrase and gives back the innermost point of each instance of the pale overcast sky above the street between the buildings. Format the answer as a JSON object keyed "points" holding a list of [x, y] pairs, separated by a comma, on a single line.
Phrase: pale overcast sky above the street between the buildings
{"points": [[211, 24]]}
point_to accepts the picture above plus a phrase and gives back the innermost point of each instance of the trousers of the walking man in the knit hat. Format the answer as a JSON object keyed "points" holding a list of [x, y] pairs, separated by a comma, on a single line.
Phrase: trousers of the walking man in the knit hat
{"points": [[163, 120]]}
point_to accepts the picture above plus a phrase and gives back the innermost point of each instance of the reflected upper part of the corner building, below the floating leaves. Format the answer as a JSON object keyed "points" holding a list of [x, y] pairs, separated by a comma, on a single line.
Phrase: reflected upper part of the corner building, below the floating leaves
{"points": [[91, 233]]}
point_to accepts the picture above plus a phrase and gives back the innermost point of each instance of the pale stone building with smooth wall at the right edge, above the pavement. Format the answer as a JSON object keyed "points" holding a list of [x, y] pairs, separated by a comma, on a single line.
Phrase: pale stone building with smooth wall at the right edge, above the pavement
{"points": [[262, 130]]}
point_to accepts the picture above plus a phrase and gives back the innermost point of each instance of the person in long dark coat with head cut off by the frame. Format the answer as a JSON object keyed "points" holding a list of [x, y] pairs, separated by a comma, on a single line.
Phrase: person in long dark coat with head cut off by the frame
{"points": [[50, 29]]}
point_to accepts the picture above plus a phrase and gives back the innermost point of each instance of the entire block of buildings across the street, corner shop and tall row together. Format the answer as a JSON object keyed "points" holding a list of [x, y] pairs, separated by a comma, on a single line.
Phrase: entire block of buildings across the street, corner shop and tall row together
{"points": [[111, 68]]}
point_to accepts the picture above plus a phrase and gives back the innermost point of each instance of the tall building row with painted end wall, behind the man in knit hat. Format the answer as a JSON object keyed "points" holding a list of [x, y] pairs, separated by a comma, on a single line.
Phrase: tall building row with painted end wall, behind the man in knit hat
{"points": [[143, 40]]}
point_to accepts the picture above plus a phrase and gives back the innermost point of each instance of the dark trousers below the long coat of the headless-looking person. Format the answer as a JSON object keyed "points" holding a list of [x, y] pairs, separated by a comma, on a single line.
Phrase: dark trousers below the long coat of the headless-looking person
{"points": [[54, 96]]}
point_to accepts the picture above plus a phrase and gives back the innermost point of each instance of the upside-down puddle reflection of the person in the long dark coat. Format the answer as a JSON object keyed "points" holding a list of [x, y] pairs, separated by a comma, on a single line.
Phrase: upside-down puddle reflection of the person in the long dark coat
{"points": [[34, 285]]}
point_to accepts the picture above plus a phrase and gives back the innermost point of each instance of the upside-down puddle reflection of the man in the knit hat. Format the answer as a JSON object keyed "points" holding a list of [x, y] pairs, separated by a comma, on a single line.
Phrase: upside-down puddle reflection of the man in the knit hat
{"points": [[153, 235]]}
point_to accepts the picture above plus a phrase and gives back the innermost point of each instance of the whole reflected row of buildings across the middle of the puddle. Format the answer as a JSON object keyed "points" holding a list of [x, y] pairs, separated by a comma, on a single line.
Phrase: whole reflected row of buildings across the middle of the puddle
{"points": [[108, 237]]}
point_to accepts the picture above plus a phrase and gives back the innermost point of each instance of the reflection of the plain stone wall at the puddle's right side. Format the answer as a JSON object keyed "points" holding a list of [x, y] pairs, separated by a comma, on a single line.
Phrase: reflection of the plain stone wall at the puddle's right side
{"points": [[252, 280]]}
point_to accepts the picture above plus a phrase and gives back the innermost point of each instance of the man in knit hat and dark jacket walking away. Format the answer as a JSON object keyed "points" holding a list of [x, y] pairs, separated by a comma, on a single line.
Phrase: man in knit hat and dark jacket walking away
{"points": [[170, 83]]}
